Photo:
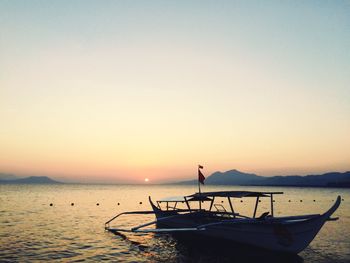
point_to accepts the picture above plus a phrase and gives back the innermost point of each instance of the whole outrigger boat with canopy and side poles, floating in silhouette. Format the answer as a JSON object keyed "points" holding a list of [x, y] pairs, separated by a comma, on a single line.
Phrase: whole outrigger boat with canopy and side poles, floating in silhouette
{"points": [[290, 234]]}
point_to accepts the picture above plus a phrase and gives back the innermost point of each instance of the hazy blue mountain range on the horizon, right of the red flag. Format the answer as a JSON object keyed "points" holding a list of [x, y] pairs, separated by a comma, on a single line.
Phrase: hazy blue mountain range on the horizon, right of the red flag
{"points": [[235, 177]]}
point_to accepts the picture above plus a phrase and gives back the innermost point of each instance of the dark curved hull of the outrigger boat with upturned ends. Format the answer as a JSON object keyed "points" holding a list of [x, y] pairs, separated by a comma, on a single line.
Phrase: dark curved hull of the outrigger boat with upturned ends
{"points": [[277, 234]]}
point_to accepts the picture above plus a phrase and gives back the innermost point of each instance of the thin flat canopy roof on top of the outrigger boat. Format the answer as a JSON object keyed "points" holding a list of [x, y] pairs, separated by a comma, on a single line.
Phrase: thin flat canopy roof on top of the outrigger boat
{"points": [[207, 196]]}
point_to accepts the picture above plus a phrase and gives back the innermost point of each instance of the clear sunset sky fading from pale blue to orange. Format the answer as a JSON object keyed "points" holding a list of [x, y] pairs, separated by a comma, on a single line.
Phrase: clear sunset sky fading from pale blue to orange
{"points": [[120, 91]]}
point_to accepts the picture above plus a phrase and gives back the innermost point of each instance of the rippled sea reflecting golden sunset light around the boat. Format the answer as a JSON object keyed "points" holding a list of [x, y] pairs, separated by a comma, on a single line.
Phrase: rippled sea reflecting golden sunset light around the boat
{"points": [[32, 230]]}
